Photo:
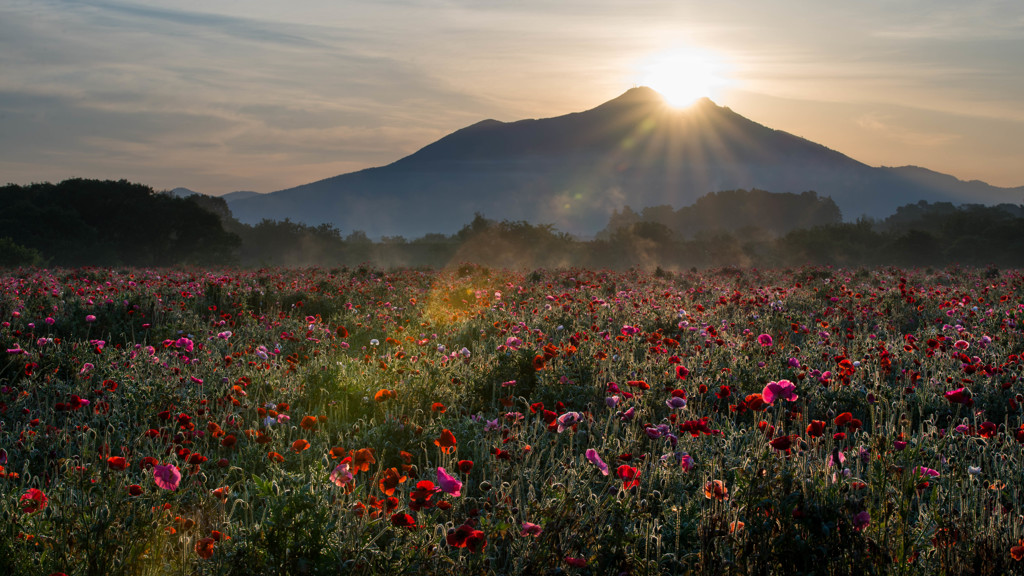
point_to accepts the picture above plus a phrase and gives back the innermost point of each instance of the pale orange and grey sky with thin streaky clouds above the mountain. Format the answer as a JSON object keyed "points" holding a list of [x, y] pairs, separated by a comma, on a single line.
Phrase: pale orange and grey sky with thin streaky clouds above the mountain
{"points": [[264, 96]]}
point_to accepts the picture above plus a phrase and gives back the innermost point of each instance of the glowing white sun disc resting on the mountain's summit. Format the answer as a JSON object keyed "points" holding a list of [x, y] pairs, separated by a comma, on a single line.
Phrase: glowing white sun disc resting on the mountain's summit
{"points": [[685, 75]]}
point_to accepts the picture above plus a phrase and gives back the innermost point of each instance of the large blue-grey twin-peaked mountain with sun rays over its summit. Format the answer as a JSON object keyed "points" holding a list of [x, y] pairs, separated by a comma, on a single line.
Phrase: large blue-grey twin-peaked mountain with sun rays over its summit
{"points": [[574, 171]]}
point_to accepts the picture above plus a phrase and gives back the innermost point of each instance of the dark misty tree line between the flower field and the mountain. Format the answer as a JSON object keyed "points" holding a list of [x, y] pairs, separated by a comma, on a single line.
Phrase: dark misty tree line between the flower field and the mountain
{"points": [[93, 223]]}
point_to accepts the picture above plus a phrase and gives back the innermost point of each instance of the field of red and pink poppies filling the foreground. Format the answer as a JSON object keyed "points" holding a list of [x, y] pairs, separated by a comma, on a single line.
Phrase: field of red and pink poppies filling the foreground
{"points": [[486, 422]]}
